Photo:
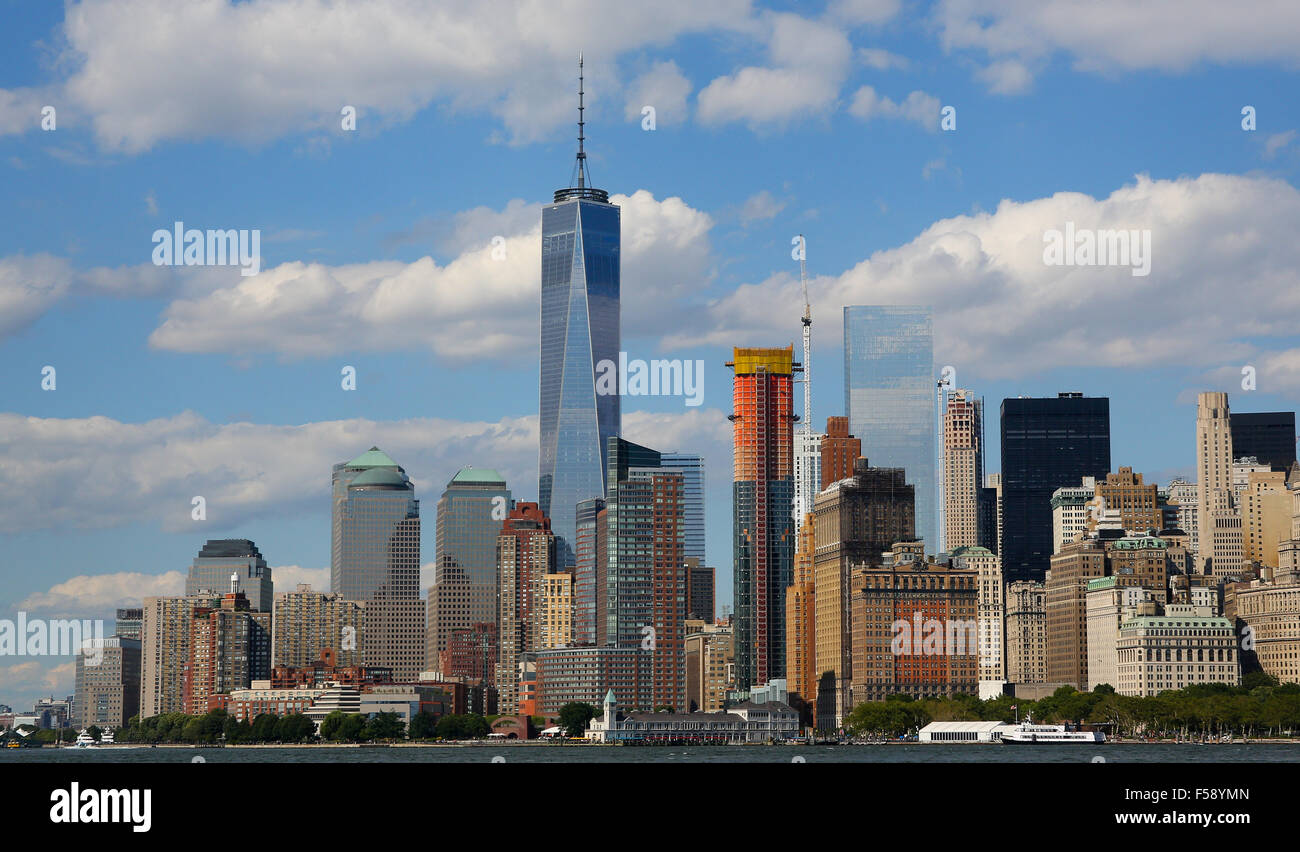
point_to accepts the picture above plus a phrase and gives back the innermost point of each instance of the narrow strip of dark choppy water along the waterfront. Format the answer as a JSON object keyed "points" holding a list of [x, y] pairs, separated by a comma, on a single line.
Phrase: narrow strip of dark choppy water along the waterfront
{"points": [[517, 754]]}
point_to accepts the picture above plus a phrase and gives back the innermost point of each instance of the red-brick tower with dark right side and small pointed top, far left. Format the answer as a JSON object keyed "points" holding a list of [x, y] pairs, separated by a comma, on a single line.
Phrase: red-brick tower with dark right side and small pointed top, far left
{"points": [[229, 650]]}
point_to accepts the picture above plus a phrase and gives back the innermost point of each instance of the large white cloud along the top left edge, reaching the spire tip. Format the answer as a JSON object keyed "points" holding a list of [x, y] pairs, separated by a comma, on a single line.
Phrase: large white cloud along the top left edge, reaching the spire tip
{"points": [[151, 71]]}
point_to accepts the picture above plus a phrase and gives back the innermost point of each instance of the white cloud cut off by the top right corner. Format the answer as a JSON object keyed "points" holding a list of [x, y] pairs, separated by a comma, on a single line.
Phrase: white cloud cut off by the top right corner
{"points": [[1107, 36]]}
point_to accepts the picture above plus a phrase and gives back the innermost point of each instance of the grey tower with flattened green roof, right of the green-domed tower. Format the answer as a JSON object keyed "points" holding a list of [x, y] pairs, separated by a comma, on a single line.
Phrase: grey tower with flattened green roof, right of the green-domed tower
{"points": [[465, 577]]}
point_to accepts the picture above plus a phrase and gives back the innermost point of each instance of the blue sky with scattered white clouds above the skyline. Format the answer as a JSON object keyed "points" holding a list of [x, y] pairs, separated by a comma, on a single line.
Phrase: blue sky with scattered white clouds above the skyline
{"points": [[409, 248]]}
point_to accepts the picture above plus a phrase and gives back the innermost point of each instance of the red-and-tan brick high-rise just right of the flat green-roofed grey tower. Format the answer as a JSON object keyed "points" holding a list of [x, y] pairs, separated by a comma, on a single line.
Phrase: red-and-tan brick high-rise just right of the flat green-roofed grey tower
{"points": [[526, 555]]}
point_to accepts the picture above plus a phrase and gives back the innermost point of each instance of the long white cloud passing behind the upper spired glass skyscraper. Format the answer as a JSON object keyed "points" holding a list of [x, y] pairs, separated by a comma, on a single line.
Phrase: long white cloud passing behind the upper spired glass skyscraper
{"points": [[484, 304]]}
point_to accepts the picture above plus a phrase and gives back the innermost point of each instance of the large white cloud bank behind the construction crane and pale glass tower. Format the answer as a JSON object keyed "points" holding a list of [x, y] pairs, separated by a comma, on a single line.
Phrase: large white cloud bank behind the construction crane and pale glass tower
{"points": [[1224, 262]]}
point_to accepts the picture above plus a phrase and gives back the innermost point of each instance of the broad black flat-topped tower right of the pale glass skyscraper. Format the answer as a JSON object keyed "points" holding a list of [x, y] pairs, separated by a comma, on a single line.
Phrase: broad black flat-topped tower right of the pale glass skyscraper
{"points": [[1047, 443]]}
